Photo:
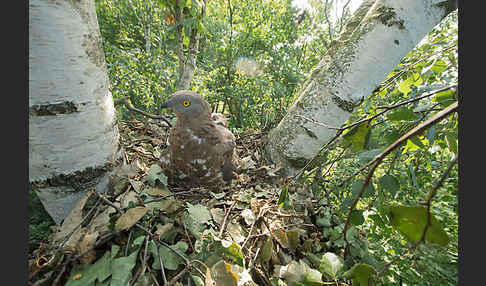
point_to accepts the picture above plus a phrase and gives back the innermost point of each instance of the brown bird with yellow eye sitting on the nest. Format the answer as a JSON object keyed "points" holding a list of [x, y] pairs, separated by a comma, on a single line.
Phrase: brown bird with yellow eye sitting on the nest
{"points": [[201, 148]]}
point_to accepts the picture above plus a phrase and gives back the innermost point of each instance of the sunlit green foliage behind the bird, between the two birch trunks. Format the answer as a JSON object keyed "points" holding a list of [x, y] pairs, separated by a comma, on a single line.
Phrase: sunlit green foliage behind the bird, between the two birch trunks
{"points": [[252, 56]]}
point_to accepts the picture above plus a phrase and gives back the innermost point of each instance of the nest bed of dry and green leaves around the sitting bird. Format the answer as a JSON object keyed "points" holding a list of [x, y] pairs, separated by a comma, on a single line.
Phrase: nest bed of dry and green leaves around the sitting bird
{"points": [[246, 234]]}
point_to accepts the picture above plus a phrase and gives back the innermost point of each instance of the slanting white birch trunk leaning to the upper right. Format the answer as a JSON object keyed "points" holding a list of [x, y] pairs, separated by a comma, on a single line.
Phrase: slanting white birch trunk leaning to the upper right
{"points": [[379, 34]]}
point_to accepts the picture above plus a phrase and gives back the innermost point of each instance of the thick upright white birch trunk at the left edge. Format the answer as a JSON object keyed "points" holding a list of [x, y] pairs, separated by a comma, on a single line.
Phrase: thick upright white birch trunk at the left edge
{"points": [[73, 132]]}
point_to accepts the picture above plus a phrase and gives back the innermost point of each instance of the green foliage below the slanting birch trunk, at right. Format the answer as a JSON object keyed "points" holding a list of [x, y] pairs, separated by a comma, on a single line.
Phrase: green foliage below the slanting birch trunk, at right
{"points": [[406, 177]]}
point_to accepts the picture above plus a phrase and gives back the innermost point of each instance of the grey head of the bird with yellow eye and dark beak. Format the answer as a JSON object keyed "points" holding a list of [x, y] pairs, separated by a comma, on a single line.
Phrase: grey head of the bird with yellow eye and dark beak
{"points": [[188, 105]]}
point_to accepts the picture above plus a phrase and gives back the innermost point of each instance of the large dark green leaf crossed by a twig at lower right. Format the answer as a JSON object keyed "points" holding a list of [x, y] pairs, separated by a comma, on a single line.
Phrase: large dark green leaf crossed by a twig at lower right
{"points": [[411, 222]]}
